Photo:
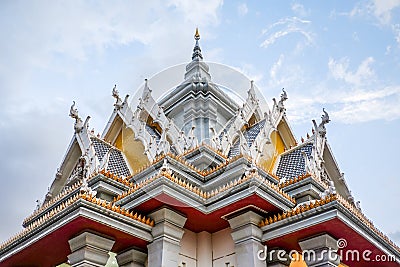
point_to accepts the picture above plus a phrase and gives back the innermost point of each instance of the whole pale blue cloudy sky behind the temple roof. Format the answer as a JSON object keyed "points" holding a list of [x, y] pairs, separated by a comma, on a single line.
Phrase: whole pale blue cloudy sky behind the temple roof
{"points": [[341, 55]]}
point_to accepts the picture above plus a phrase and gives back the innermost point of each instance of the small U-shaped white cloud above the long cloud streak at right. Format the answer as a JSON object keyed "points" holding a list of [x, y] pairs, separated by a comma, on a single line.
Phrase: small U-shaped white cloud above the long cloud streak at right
{"points": [[363, 74]]}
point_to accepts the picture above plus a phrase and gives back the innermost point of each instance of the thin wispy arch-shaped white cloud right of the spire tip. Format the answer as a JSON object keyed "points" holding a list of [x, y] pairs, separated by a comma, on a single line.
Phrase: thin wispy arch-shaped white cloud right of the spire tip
{"points": [[285, 27]]}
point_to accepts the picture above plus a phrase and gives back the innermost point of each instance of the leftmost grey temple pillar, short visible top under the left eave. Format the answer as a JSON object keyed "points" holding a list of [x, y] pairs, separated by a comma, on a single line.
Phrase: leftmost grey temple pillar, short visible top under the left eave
{"points": [[89, 250]]}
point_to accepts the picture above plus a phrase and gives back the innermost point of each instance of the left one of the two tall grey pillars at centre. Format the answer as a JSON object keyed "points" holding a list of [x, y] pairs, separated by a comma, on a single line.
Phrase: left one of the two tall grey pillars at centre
{"points": [[167, 233]]}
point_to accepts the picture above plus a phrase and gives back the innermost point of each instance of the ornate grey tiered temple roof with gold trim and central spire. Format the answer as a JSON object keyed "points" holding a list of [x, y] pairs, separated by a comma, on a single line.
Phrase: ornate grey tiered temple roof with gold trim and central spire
{"points": [[167, 163]]}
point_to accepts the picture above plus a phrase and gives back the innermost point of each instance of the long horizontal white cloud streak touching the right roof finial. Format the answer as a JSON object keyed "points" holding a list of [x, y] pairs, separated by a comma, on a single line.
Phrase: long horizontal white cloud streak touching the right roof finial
{"points": [[352, 106]]}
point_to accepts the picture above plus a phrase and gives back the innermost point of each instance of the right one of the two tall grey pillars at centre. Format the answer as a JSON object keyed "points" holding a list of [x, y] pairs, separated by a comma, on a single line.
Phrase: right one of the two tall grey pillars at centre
{"points": [[247, 237]]}
